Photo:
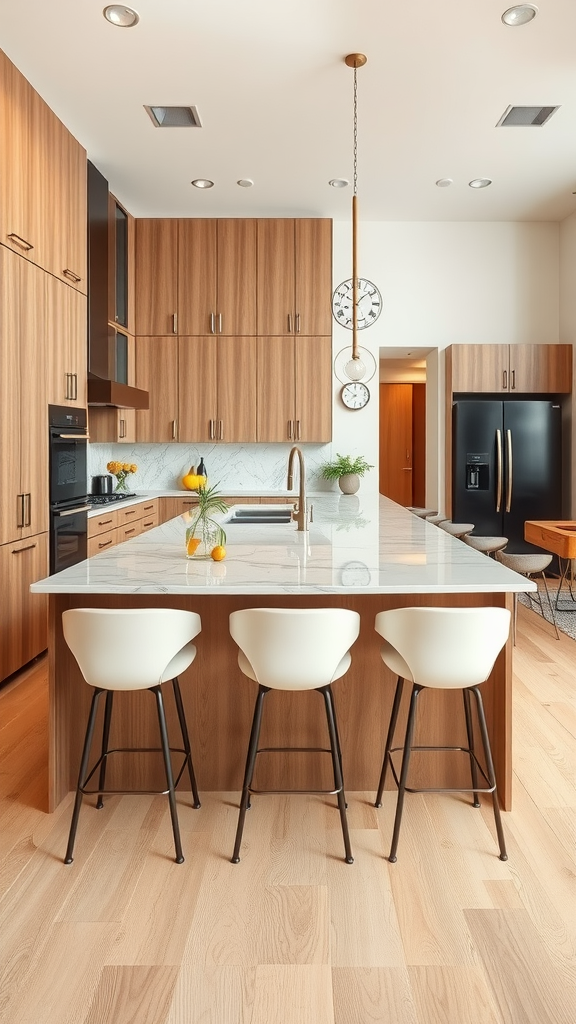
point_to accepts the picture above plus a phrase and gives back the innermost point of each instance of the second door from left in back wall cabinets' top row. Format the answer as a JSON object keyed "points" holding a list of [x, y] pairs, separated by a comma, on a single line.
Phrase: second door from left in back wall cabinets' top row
{"points": [[197, 277]]}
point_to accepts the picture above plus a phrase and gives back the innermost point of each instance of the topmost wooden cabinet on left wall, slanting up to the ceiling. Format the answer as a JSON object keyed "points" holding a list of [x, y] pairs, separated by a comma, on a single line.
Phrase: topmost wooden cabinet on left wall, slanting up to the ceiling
{"points": [[43, 183]]}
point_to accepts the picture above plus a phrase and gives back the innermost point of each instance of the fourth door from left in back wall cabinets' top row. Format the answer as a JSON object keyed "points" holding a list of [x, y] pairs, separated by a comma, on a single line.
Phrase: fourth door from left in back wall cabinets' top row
{"points": [[276, 301]]}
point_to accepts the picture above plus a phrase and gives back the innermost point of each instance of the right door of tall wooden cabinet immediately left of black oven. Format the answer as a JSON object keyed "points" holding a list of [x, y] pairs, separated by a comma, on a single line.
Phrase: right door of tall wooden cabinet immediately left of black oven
{"points": [[34, 401]]}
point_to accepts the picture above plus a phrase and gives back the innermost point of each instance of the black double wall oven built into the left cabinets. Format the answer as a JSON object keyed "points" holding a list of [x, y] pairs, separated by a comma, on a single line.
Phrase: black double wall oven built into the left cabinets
{"points": [[68, 487]]}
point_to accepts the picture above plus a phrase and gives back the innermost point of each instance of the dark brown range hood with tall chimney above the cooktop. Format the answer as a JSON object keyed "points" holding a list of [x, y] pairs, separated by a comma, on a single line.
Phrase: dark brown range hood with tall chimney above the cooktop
{"points": [[104, 389]]}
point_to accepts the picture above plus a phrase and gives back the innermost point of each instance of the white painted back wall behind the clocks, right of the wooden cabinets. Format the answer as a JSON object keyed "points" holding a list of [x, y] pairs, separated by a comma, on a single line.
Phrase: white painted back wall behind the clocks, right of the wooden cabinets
{"points": [[444, 284]]}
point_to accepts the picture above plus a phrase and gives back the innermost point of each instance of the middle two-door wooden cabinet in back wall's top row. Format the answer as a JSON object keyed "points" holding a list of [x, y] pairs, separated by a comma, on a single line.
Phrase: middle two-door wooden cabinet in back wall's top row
{"points": [[218, 278]]}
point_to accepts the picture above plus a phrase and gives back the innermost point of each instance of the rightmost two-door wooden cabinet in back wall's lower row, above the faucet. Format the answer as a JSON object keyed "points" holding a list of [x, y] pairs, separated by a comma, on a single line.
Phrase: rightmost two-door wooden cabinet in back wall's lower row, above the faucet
{"points": [[295, 394]]}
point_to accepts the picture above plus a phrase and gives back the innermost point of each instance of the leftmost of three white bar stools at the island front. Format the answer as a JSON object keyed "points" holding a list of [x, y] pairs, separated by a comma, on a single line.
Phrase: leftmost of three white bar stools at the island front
{"points": [[132, 650]]}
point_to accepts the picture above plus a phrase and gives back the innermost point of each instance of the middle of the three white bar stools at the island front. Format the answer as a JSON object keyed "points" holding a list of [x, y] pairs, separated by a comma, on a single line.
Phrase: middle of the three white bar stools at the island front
{"points": [[295, 650]]}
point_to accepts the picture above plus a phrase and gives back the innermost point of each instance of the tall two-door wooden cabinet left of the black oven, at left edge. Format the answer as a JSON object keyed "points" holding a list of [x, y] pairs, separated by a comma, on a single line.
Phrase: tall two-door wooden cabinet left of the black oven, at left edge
{"points": [[24, 414]]}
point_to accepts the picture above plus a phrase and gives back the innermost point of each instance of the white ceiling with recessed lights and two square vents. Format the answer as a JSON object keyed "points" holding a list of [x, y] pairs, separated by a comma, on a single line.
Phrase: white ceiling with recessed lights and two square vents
{"points": [[275, 98]]}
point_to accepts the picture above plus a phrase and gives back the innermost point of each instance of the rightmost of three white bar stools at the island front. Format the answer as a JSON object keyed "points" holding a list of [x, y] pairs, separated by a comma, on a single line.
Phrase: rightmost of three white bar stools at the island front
{"points": [[441, 649]]}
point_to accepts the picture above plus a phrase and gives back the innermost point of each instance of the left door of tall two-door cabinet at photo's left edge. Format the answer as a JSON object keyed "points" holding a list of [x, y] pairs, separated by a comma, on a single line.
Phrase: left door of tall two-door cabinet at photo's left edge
{"points": [[11, 434]]}
